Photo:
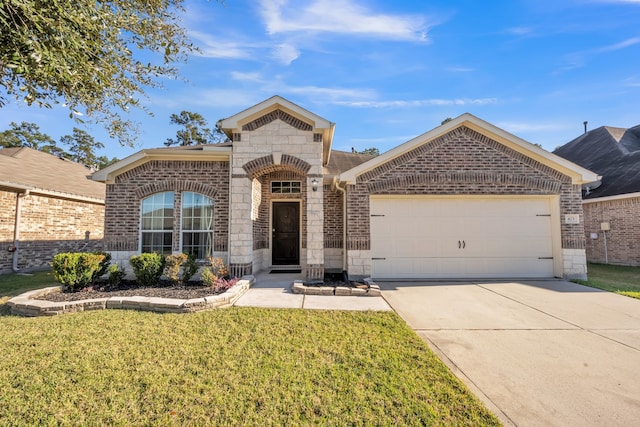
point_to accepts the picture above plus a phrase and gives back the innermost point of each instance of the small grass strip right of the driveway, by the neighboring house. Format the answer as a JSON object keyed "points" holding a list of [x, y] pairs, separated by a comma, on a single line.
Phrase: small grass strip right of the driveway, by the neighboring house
{"points": [[614, 278]]}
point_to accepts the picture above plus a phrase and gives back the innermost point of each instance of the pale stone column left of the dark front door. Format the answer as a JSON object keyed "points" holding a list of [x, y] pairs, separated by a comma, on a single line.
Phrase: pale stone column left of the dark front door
{"points": [[240, 229]]}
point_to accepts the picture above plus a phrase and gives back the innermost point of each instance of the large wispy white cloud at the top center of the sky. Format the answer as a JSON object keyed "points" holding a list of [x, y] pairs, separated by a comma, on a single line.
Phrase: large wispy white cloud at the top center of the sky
{"points": [[340, 16]]}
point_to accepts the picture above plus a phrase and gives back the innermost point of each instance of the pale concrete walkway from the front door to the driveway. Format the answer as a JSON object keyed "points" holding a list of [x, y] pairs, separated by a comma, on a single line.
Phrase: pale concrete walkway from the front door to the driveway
{"points": [[274, 291]]}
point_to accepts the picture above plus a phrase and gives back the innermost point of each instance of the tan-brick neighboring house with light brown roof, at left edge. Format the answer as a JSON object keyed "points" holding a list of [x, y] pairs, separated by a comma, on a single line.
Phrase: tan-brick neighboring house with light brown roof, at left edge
{"points": [[47, 205]]}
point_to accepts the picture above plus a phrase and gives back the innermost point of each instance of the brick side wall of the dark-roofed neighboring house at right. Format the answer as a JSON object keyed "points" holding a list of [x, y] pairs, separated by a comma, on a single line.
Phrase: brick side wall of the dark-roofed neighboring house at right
{"points": [[623, 240]]}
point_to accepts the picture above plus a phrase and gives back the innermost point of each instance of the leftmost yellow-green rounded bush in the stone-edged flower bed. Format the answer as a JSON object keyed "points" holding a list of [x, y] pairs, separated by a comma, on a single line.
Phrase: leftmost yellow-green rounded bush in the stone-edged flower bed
{"points": [[75, 271]]}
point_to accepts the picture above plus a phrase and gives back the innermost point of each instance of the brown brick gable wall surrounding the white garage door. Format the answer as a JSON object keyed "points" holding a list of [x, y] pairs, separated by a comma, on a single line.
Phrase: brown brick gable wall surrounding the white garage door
{"points": [[462, 162]]}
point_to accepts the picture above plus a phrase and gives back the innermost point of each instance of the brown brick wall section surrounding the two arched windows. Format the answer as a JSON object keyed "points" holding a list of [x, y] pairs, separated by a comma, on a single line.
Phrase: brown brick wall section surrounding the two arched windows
{"points": [[124, 197]]}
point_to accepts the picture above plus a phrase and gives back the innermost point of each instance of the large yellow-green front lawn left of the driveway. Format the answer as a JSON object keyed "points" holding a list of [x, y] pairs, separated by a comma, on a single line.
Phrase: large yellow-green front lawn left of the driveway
{"points": [[238, 366]]}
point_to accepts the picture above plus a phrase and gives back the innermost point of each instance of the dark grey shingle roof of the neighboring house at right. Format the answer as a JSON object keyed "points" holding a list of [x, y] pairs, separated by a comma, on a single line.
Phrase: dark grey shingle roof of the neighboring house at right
{"points": [[611, 152]]}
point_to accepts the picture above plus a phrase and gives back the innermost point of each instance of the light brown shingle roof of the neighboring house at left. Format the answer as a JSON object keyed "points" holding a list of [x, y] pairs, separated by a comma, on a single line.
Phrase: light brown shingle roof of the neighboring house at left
{"points": [[24, 168]]}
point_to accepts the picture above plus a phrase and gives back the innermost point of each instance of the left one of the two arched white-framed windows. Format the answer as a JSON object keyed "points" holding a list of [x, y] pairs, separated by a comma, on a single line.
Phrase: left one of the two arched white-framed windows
{"points": [[157, 223]]}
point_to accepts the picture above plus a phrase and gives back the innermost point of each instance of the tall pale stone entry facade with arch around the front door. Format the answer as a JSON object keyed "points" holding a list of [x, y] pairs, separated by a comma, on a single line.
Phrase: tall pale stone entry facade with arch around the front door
{"points": [[274, 143]]}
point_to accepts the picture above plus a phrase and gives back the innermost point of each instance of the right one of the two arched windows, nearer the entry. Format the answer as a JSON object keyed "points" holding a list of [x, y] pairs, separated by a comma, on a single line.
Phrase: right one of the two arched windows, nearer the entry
{"points": [[197, 225]]}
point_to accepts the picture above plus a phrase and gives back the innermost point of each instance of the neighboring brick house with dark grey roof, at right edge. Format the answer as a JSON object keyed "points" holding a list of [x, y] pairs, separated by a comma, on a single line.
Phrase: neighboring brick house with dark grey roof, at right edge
{"points": [[611, 206]]}
